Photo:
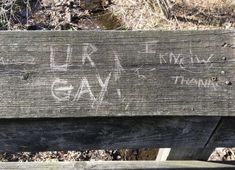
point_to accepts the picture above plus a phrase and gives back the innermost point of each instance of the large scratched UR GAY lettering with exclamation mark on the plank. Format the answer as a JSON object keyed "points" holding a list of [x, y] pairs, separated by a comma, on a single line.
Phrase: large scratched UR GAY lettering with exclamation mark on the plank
{"points": [[61, 89]]}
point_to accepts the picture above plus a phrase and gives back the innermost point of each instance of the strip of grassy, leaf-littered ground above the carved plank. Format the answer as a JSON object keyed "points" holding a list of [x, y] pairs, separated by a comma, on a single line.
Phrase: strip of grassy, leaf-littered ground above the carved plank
{"points": [[115, 14]]}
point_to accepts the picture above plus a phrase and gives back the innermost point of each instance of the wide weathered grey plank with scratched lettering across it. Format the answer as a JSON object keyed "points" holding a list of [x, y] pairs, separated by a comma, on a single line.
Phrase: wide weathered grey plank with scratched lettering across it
{"points": [[116, 73]]}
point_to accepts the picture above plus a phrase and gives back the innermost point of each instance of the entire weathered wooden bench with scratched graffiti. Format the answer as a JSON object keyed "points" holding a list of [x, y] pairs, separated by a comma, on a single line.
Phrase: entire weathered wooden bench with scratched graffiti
{"points": [[68, 90]]}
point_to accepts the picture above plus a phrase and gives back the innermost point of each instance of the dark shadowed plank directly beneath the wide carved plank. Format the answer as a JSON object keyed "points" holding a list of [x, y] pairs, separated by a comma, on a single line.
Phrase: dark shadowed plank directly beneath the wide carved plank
{"points": [[104, 133]]}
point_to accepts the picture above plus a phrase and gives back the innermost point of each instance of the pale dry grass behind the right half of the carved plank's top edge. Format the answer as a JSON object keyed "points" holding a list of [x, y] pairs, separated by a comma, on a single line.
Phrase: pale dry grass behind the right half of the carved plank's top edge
{"points": [[146, 15]]}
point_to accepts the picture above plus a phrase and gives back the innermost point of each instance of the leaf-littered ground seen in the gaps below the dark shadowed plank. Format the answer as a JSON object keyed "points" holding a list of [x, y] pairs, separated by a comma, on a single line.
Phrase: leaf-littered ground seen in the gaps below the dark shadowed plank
{"points": [[220, 154]]}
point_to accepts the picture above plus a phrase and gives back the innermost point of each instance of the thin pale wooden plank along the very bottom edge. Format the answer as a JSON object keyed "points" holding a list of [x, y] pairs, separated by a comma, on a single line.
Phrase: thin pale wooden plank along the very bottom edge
{"points": [[165, 165]]}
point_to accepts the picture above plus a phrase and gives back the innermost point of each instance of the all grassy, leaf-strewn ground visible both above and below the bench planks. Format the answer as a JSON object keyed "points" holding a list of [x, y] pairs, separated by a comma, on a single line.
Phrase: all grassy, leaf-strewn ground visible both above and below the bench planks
{"points": [[118, 15]]}
